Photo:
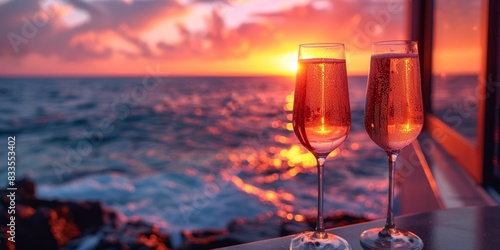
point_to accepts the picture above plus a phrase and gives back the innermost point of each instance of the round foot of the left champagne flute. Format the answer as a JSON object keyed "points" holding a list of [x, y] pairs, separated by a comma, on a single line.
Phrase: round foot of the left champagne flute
{"points": [[307, 240]]}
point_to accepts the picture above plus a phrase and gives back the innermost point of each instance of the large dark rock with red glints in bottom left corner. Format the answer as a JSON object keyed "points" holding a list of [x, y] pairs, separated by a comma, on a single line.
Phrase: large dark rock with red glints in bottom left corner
{"points": [[55, 224]]}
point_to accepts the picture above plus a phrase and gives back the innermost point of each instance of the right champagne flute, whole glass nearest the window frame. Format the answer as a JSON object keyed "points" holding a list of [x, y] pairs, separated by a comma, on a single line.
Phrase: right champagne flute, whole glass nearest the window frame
{"points": [[394, 117]]}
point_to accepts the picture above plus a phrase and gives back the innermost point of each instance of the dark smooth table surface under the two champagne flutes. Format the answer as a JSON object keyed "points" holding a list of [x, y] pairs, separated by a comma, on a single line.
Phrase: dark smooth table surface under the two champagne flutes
{"points": [[458, 228]]}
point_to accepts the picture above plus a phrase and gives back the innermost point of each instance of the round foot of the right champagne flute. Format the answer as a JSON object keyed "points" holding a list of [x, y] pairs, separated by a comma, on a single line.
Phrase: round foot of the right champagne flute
{"points": [[380, 239]]}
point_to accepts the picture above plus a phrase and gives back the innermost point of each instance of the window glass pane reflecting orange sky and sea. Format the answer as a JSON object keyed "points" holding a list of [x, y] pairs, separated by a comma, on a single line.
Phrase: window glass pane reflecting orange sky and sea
{"points": [[455, 65]]}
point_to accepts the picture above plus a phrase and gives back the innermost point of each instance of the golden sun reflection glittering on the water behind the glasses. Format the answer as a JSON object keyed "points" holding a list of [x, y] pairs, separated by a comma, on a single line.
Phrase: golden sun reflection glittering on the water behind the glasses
{"points": [[281, 161]]}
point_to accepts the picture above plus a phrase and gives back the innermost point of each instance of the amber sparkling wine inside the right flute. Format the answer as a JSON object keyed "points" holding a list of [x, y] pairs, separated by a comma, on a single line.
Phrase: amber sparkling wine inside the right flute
{"points": [[394, 114]]}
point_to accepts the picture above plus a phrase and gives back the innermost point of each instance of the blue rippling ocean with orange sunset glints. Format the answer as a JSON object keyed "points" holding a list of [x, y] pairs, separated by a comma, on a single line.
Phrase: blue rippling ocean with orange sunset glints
{"points": [[185, 152]]}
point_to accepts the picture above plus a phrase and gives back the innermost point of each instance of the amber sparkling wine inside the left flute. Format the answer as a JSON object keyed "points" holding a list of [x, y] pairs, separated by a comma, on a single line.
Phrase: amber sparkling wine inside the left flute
{"points": [[322, 117]]}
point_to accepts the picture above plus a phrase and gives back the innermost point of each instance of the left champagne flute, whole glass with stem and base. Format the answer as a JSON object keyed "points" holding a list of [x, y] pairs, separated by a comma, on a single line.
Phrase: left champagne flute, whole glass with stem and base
{"points": [[321, 121]]}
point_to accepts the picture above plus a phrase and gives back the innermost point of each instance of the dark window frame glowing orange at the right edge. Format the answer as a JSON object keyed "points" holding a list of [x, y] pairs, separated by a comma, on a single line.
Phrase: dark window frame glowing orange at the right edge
{"points": [[478, 161]]}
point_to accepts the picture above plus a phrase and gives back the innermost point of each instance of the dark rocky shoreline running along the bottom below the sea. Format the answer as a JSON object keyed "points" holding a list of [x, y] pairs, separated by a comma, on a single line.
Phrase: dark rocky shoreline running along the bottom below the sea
{"points": [[56, 224]]}
